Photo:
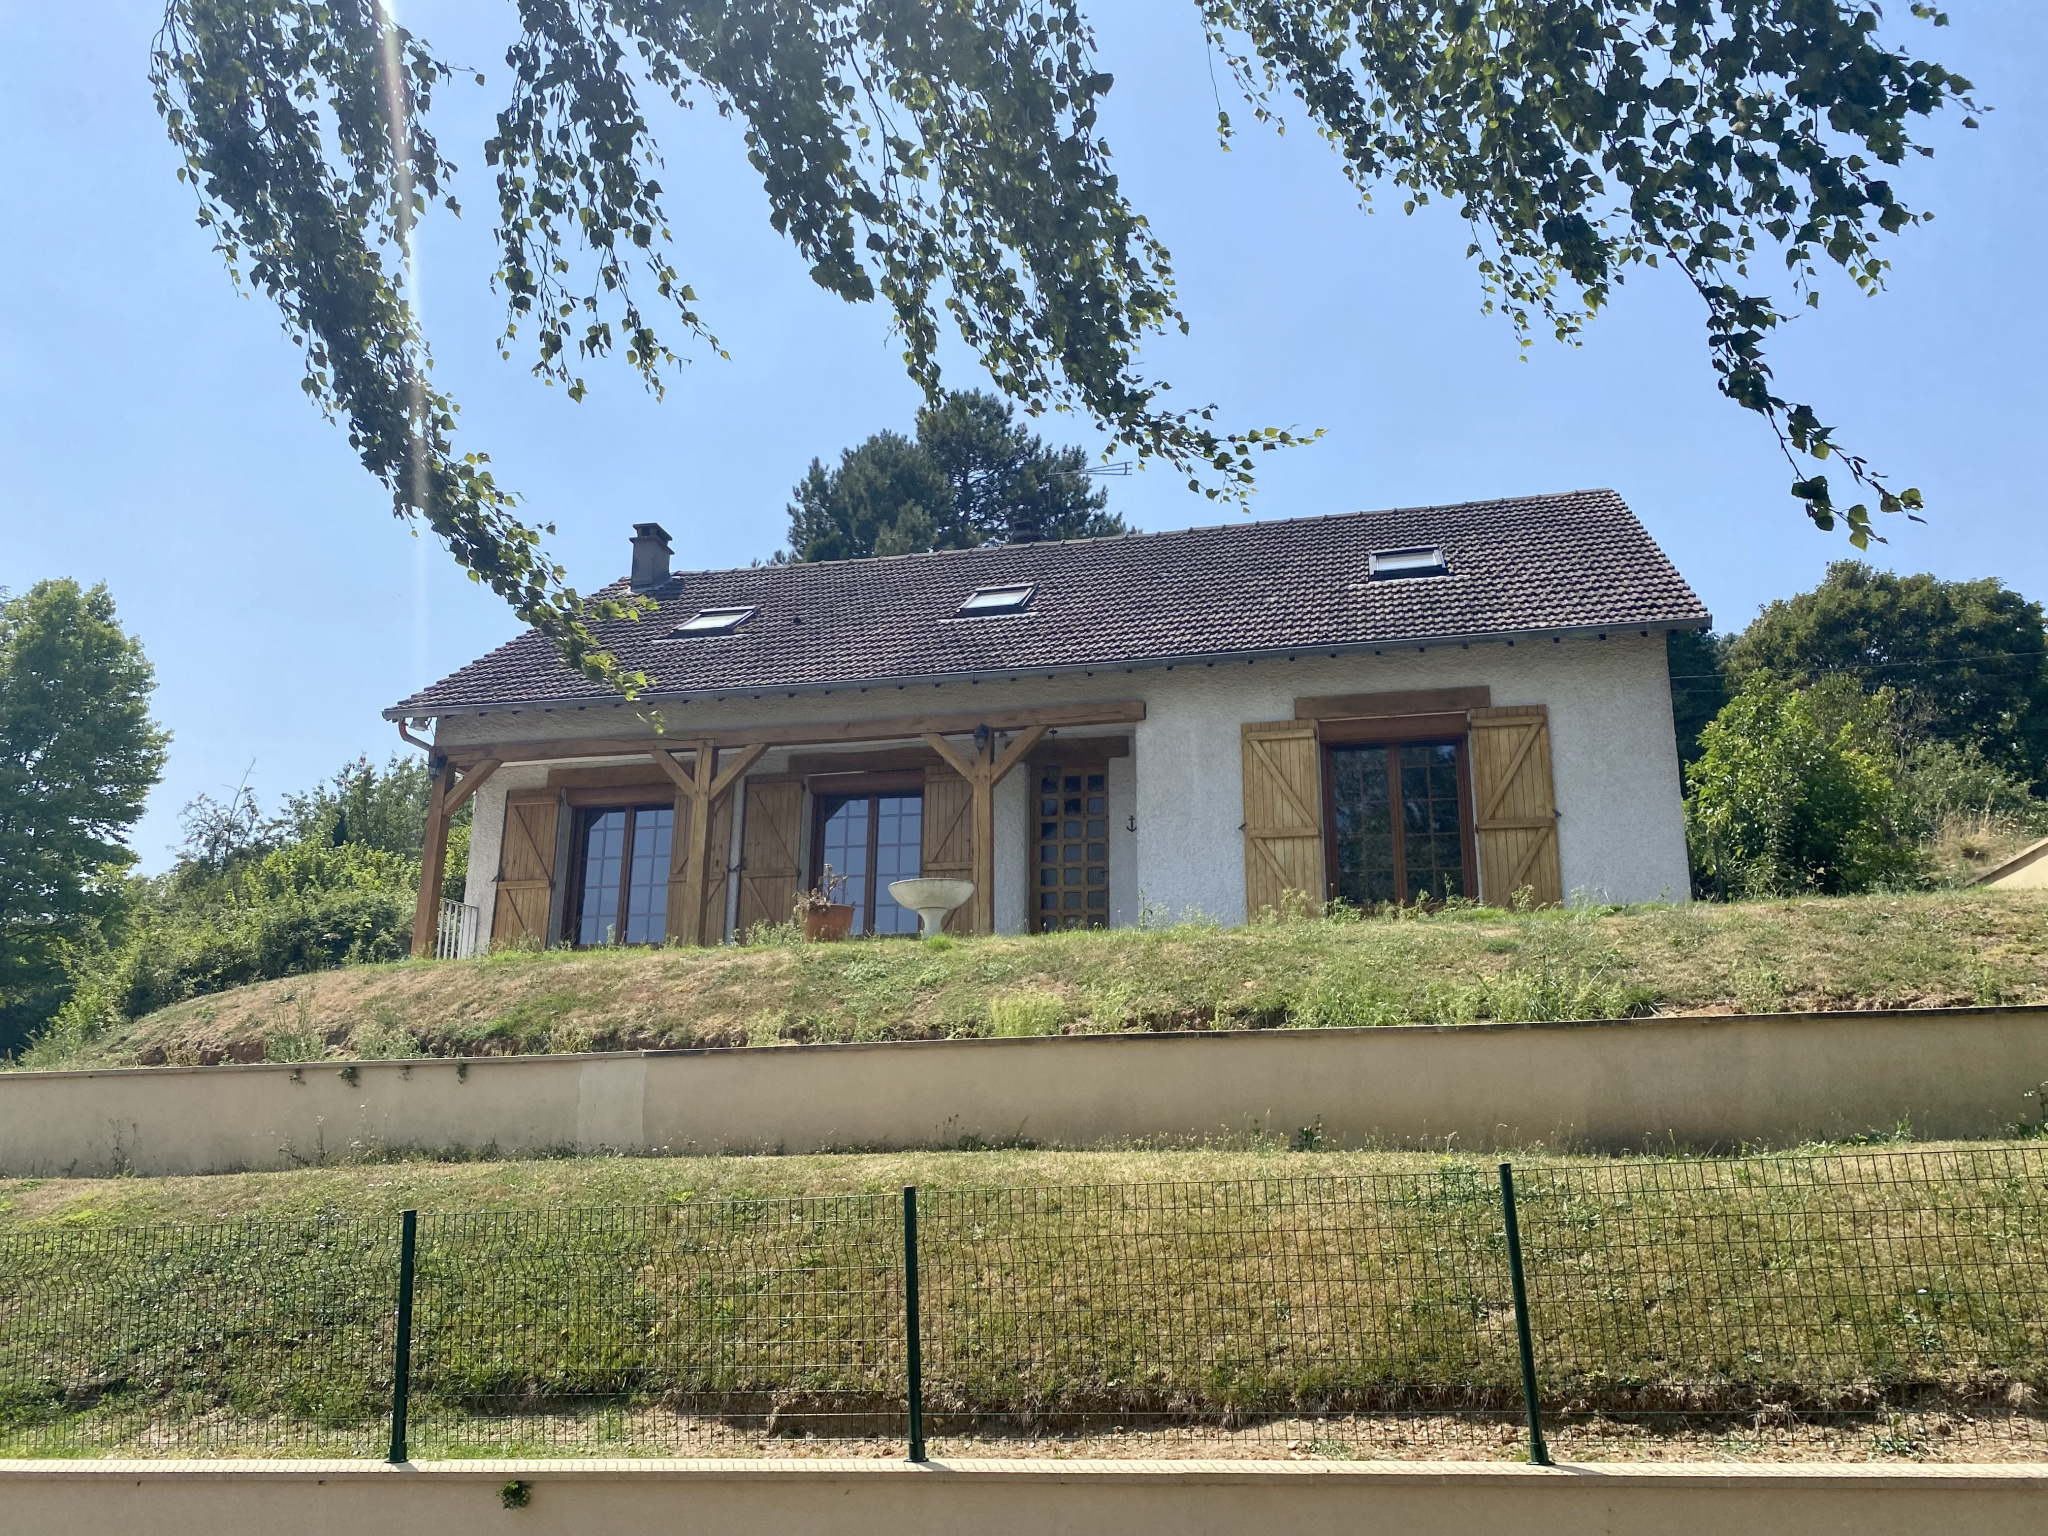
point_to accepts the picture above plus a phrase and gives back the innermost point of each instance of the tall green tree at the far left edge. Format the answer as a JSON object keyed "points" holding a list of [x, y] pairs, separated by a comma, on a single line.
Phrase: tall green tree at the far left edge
{"points": [[79, 757]]}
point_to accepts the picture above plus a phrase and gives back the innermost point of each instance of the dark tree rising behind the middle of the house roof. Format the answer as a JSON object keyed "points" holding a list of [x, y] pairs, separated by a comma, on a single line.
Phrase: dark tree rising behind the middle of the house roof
{"points": [[972, 476]]}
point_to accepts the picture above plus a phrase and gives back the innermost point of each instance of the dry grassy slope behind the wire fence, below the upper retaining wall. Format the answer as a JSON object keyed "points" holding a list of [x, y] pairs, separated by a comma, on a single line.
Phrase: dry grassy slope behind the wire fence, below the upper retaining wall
{"points": [[1822, 1281]]}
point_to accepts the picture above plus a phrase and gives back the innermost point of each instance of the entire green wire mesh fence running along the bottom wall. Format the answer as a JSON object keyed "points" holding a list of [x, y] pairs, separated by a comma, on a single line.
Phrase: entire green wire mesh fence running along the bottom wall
{"points": [[1836, 1306]]}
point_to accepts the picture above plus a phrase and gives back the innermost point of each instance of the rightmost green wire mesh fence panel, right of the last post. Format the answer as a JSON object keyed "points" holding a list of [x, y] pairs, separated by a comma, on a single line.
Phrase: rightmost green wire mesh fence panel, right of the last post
{"points": [[1863, 1306]]}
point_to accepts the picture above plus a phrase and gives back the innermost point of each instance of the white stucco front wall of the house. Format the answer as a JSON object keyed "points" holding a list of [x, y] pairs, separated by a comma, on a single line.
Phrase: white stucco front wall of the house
{"points": [[1615, 757]]}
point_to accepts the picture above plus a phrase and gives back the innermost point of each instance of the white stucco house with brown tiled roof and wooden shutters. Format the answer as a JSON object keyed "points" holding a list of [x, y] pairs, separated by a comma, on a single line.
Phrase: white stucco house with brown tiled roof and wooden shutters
{"points": [[1451, 701]]}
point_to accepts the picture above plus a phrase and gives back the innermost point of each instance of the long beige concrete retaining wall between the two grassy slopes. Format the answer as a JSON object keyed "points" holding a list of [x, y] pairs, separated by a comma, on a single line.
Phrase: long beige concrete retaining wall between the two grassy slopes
{"points": [[1680, 1082]]}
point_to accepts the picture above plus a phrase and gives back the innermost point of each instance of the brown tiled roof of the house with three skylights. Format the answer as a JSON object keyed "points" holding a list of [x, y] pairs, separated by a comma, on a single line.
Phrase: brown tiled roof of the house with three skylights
{"points": [[1572, 562]]}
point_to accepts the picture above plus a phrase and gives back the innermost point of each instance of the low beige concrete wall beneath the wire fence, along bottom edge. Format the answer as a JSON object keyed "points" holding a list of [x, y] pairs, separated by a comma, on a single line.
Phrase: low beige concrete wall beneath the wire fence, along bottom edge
{"points": [[1017, 1500]]}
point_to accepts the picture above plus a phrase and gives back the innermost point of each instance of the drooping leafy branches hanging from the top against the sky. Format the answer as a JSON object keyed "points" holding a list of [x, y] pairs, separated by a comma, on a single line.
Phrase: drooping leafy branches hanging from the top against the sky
{"points": [[945, 159]]}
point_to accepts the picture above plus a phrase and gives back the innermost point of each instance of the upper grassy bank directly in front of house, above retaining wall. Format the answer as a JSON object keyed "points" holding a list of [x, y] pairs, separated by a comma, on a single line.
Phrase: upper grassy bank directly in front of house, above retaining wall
{"points": [[1893, 951]]}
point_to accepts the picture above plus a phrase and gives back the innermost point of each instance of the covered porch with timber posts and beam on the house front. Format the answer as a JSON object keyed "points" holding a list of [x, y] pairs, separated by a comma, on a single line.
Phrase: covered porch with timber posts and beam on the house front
{"points": [[634, 839]]}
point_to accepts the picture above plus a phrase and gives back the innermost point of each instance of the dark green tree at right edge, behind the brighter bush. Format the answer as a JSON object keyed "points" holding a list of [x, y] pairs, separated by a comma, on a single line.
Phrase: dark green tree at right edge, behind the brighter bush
{"points": [[1965, 660]]}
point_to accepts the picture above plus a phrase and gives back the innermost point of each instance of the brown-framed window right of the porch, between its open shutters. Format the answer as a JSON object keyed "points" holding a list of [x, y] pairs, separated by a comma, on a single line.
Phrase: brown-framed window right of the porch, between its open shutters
{"points": [[1400, 822]]}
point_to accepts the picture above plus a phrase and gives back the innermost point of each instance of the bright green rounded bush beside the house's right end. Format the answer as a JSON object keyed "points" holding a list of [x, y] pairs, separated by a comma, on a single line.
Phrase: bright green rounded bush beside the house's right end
{"points": [[1785, 800]]}
